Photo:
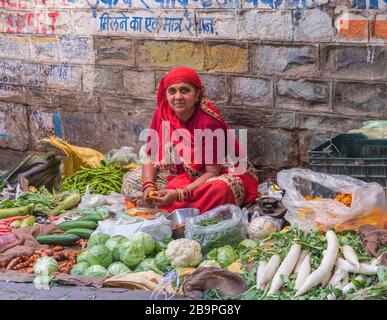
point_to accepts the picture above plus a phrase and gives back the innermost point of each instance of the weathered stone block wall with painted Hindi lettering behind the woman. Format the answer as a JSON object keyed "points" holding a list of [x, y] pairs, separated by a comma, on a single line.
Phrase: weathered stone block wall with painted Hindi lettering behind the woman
{"points": [[293, 72]]}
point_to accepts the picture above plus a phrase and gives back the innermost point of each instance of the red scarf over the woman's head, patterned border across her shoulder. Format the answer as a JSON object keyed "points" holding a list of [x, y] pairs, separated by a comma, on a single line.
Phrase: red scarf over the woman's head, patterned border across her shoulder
{"points": [[165, 113]]}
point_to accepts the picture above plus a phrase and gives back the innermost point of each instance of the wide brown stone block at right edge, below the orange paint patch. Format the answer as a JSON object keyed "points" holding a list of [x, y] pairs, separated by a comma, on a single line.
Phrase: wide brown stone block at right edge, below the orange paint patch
{"points": [[354, 62]]}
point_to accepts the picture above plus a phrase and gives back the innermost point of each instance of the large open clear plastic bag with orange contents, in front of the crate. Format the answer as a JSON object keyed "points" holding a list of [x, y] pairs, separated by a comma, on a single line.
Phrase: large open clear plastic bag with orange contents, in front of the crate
{"points": [[368, 205]]}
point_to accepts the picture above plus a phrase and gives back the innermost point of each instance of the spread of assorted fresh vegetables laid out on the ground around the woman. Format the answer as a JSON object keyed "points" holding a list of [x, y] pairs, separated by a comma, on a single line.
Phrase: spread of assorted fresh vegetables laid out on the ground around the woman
{"points": [[258, 261]]}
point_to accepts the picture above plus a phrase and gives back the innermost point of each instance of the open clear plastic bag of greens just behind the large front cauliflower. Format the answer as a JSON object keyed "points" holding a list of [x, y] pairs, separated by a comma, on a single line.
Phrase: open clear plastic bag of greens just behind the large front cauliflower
{"points": [[230, 230]]}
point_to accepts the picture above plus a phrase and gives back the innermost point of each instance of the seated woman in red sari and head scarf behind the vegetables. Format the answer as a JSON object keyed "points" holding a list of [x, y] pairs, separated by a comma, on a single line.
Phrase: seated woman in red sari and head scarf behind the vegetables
{"points": [[204, 186]]}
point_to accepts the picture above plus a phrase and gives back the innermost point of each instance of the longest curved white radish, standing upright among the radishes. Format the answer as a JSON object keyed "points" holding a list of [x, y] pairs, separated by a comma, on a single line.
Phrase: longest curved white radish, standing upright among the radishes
{"points": [[326, 265]]}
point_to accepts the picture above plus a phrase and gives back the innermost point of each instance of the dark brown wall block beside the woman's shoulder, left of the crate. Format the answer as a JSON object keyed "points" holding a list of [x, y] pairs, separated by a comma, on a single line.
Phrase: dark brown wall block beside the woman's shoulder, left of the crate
{"points": [[273, 148]]}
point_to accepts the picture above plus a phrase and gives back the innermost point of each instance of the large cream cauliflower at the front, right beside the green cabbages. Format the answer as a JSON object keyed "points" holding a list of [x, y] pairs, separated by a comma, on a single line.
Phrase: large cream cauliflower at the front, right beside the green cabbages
{"points": [[184, 253]]}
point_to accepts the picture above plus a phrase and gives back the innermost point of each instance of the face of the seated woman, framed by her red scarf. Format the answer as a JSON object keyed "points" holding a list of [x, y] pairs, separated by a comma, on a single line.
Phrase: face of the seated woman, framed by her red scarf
{"points": [[182, 97]]}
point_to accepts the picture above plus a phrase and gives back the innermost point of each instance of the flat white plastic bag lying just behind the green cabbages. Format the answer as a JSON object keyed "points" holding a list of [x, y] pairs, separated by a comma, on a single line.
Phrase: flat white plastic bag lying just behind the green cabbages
{"points": [[159, 228]]}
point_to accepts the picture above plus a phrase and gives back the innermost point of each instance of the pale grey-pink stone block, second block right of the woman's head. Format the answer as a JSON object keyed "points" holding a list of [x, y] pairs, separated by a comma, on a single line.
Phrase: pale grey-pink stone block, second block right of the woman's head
{"points": [[251, 91]]}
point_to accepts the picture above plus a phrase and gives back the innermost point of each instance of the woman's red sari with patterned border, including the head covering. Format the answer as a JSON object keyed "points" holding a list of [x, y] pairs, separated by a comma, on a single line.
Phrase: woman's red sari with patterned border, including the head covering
{"points": [[227, 188]]}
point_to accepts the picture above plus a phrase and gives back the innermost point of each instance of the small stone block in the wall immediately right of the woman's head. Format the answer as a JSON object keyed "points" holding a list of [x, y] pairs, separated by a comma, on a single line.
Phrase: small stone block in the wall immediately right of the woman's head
{"points": [[216, 88]]}
